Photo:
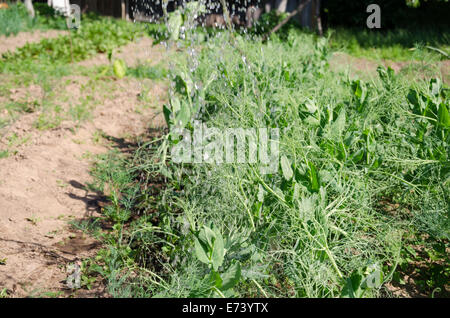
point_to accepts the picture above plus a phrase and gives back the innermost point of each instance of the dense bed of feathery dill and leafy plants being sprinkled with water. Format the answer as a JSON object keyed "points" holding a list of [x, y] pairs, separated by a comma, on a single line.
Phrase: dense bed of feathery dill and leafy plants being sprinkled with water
{"points": [[323, 225]]}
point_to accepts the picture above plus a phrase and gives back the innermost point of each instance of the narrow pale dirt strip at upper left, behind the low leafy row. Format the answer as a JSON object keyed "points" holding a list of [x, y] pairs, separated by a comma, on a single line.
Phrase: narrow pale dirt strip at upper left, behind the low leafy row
{"points": [[10, 43]]}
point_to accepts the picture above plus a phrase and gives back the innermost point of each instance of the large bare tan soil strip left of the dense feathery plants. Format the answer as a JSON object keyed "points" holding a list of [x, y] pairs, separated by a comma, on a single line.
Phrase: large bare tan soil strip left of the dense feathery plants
{"points": [[43, 186]]}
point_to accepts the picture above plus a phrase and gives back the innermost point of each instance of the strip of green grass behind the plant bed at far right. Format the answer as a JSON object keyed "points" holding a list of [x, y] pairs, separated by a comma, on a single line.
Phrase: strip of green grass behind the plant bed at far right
{"points": [[396, 45]]}
